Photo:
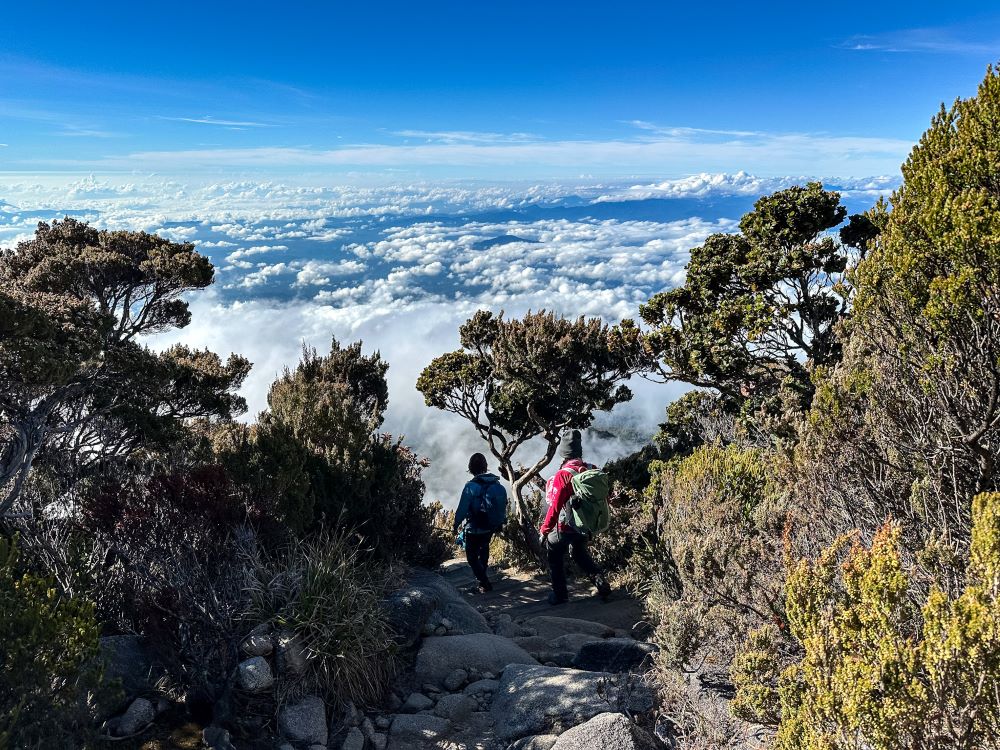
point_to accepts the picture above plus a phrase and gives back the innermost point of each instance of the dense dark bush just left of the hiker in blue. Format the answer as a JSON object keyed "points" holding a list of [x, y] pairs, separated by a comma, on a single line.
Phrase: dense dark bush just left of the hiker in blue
{"points": [[317, 460]]}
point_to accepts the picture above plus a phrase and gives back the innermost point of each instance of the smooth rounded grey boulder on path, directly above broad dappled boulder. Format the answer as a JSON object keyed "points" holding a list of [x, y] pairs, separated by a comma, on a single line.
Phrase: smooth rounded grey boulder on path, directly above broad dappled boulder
{"points": [[485, 652]]}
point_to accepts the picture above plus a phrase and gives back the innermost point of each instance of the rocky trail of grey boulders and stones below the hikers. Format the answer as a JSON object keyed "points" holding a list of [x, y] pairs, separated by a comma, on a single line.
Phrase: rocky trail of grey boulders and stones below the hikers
{"points": [[497, 671]]}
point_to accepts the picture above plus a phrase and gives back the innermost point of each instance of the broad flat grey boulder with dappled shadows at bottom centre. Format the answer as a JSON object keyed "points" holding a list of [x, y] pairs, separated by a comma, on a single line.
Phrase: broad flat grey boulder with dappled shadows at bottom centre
{"points": [[534, 699]]}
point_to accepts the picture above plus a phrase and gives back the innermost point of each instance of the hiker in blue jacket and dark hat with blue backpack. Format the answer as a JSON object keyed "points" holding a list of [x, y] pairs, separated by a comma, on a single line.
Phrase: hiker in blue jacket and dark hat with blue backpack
{"points": [[483, 508]]}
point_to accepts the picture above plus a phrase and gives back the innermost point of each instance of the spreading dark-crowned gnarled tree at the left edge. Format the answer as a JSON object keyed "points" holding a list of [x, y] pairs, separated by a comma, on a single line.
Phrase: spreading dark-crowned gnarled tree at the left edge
{"points": [[73, 373]]}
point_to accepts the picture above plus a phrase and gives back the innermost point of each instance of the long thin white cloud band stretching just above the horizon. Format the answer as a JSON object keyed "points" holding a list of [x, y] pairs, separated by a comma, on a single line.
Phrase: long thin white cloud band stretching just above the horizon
{"points": [[684, 152]]}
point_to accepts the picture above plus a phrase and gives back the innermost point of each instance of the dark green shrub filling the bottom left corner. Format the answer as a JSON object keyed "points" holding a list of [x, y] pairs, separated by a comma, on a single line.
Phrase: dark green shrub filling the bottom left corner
{"points": [[49, 676]]}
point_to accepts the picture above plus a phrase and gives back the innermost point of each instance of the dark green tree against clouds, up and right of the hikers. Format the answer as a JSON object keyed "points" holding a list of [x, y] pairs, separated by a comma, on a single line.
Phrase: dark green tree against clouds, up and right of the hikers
{"points": [[758, 303]]}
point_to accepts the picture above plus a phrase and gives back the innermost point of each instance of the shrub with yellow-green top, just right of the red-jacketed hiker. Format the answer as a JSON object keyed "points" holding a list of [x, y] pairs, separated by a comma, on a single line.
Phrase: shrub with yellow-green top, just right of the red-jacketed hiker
{"points": [[721, 520]]}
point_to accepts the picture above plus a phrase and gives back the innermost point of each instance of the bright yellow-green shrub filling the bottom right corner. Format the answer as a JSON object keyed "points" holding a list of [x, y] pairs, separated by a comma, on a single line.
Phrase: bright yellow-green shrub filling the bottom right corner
{"points": [[877, 672]]}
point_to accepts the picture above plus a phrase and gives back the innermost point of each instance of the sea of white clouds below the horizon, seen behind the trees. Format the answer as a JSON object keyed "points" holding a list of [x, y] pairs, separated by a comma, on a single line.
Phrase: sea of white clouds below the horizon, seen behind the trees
{"points": [[400, 267]]}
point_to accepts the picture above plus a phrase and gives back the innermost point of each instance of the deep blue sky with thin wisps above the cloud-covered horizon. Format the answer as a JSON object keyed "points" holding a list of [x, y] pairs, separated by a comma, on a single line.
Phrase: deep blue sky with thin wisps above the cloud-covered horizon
{"points": [[510, 90]]}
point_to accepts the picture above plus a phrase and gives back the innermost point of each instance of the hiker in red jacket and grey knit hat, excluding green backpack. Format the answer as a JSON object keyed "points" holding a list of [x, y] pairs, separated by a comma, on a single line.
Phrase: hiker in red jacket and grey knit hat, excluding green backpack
{"points": [[557, 535]]}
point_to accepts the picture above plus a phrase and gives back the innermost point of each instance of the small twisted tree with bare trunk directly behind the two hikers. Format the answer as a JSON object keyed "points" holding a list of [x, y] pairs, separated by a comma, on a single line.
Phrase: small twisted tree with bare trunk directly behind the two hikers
{"points": [[516, 380]]}
